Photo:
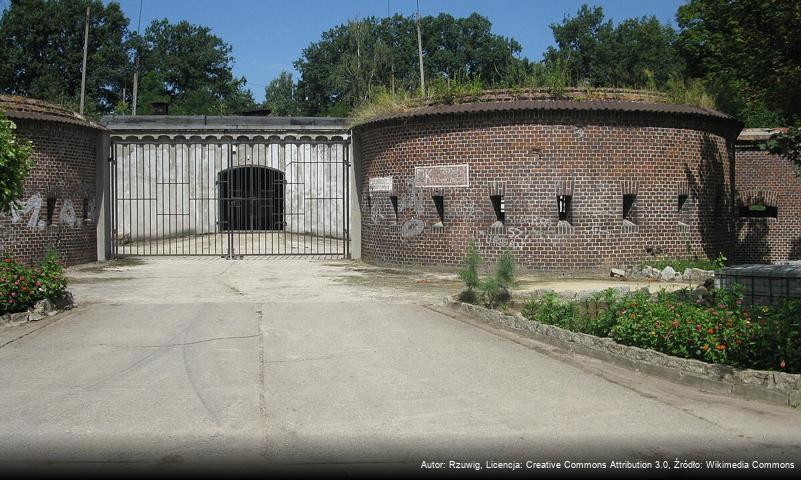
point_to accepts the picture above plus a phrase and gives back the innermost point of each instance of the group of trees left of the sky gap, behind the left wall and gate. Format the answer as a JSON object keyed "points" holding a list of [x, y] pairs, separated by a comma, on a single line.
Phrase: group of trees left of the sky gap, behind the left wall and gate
{"points": [[41, 52]]}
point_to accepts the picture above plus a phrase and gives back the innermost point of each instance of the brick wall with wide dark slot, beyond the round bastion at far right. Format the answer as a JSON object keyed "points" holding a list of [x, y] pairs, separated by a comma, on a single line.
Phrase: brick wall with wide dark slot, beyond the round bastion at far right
{"points": [[773, 180]]}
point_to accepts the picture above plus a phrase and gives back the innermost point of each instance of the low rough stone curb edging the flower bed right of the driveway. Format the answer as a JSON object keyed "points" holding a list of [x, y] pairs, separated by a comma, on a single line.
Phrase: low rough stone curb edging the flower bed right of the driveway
{"points": [[776, 388]]}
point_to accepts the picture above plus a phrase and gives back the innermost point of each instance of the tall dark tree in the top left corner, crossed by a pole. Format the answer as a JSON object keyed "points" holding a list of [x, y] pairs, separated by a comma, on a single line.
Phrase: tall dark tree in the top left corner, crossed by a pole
{"points": [[41, 51]]}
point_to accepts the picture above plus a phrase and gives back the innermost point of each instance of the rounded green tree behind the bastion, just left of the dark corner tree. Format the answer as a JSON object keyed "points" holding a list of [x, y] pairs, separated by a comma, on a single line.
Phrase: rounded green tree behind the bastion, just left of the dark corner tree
{"points": [[596, 51]]}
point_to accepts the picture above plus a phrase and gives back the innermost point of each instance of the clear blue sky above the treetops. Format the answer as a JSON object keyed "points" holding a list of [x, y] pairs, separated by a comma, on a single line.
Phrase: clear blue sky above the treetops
{"points": [[268, 35]]}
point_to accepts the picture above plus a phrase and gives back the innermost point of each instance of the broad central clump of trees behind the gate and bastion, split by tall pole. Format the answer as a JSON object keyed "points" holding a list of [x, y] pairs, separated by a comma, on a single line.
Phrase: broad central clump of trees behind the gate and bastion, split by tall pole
{"points": [[353, 61]]}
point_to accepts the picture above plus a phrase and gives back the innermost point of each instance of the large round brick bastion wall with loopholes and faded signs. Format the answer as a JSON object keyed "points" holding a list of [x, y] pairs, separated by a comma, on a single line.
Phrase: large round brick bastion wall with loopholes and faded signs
{"points": [[535, 156]]}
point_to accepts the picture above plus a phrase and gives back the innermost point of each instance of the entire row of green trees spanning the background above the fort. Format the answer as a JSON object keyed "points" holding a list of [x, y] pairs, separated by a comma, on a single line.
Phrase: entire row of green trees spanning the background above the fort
{"points": [[744, 54]]}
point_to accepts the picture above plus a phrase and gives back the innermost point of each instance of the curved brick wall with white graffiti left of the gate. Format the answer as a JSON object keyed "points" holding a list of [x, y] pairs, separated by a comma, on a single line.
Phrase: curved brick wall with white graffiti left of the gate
{"points": [[64, 169]]}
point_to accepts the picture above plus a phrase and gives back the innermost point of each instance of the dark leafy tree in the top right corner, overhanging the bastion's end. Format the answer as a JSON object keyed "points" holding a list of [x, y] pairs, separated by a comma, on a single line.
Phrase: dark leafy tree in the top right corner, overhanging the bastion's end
{"points": [[749, 51]]}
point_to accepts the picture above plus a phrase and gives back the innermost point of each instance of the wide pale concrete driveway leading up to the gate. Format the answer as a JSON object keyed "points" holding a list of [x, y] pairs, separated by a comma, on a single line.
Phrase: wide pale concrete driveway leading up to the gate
{"points": [[298, 363]]}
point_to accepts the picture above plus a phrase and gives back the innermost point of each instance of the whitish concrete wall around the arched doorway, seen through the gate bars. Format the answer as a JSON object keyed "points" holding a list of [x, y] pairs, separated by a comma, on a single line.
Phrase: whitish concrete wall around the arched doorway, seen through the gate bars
{"points": [[167, 190]]}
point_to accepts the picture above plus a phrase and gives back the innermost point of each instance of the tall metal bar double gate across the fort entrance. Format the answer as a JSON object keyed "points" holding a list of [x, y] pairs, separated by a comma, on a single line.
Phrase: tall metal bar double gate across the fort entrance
{"points": [[230, 199]]}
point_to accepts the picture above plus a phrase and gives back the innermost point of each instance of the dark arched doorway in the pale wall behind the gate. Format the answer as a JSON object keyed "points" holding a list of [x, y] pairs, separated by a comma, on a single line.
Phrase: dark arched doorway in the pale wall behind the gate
{"points": [[251, 198]]}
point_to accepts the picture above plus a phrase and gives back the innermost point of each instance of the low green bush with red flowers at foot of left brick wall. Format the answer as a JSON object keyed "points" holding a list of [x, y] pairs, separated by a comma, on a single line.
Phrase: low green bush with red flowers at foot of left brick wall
{"points": [[21, 286]]}
